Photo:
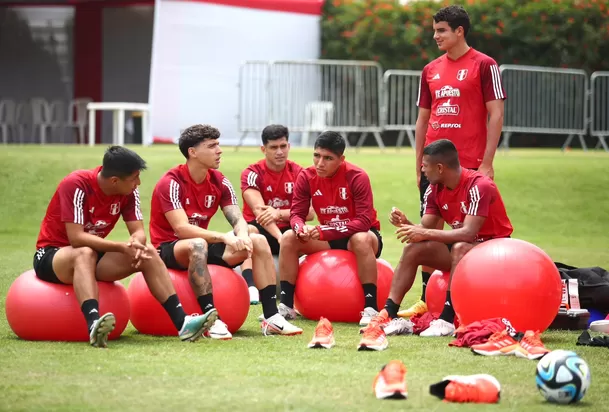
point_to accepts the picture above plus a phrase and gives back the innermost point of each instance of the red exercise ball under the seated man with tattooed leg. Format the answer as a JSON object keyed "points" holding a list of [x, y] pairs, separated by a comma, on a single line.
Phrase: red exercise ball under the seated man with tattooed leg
{"points": [[231, 299]]}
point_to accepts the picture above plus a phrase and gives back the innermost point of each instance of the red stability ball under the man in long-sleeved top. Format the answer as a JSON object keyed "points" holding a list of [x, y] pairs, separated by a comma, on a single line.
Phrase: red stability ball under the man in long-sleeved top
{"points": [[328, 286]]}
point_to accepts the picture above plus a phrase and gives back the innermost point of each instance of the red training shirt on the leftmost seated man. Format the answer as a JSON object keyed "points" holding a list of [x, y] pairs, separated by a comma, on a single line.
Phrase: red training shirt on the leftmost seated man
{"points": [[79, 199]]}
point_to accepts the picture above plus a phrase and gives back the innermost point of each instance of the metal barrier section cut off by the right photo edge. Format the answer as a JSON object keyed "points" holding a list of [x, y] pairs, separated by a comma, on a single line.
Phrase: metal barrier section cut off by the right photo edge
{"points": [[599, 108]]}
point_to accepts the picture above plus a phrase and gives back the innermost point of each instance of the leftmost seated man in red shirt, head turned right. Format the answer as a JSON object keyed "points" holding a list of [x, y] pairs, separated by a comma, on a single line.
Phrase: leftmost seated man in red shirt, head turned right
{"points": [[72, 249]]}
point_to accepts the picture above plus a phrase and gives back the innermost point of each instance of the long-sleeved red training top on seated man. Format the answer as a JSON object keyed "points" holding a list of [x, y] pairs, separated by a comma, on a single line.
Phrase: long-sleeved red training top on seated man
{"points": [[343, 203]]}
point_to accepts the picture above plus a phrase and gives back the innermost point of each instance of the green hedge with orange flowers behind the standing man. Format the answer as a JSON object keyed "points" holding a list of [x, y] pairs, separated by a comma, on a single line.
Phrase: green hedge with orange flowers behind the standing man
{"points": [[551, 33]]}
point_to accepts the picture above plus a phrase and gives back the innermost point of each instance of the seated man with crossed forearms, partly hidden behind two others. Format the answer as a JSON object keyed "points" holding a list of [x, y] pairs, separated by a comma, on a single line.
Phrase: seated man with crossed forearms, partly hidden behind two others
{"points": [[267, 187]]}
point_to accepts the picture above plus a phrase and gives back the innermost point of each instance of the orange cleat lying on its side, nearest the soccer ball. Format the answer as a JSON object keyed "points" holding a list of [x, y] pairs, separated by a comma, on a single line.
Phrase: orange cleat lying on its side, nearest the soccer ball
{"points": [[473, 388]]}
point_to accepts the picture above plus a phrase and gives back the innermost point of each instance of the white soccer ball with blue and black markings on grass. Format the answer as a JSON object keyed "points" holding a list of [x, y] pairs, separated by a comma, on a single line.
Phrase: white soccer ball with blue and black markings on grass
{"points": [[562, 377]]}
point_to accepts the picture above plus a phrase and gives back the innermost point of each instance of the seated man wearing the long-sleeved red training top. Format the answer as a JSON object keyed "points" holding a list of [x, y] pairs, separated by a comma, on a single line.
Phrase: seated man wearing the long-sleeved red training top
{"points": [[341, 195]]}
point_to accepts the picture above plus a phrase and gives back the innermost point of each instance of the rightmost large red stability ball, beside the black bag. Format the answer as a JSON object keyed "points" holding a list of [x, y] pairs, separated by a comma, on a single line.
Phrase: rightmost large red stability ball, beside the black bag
{"points": [[507, 278]]}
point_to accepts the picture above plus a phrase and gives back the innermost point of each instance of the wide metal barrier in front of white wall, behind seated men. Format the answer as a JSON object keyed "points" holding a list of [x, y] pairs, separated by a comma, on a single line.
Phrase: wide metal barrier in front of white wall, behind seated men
{"points": [[312, 96]]}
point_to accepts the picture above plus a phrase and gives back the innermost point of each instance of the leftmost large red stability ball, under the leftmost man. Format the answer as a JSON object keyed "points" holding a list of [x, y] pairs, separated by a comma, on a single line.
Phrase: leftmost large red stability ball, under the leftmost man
{"points": [[39, 310]]}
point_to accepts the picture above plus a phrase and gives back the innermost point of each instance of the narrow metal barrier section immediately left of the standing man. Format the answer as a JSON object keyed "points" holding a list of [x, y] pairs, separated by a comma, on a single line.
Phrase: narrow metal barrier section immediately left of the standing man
{"points": [[400, 103]]}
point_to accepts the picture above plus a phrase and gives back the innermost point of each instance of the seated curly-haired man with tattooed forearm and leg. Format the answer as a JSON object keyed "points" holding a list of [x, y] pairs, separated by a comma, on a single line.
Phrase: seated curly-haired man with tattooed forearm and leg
{"points": [[183, 202]]}
